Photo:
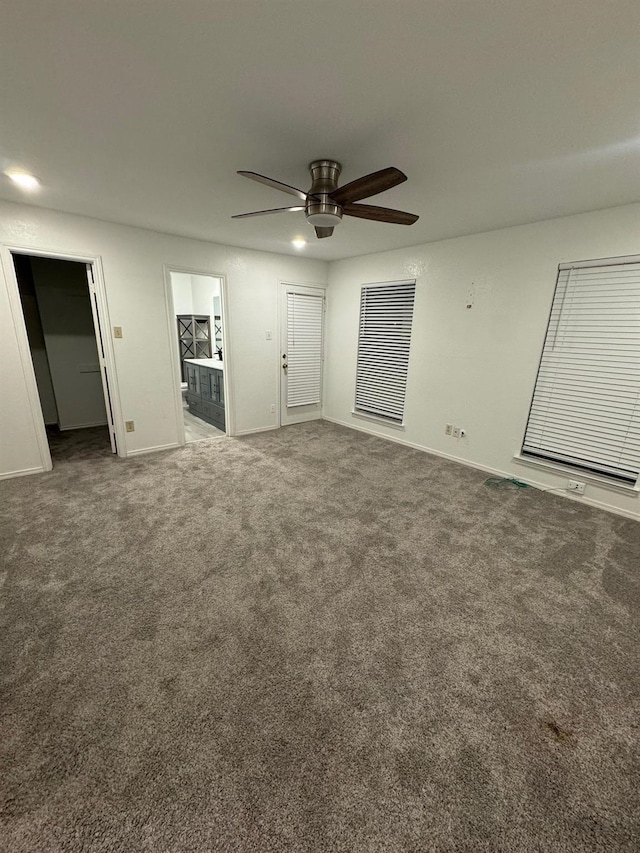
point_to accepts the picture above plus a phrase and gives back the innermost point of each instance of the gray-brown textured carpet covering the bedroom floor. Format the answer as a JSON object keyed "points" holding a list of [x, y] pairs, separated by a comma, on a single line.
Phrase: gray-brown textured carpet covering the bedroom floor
{"points": [[314, 640]]}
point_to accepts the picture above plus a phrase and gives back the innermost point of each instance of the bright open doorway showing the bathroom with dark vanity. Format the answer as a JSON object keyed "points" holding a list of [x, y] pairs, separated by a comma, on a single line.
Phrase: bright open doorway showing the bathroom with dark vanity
{"points": [[197, 309]]}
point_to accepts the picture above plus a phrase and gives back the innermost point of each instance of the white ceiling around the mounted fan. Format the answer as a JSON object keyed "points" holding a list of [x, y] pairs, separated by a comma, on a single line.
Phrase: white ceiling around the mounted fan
{"points": [[500, 112]]}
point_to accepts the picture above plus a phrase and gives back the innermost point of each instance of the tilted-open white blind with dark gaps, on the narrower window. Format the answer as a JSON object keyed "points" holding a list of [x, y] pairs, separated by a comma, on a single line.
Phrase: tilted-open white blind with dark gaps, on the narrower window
{"points": [[386, 315]]}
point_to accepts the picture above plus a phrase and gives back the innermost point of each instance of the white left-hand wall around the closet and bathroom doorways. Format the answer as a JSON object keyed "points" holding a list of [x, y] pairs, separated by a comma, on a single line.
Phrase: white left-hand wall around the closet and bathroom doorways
{"points": [[133, 265]]}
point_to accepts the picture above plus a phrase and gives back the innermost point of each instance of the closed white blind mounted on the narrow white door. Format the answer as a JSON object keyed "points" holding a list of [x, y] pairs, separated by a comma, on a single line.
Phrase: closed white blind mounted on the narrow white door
{"points": [[304, 353]]}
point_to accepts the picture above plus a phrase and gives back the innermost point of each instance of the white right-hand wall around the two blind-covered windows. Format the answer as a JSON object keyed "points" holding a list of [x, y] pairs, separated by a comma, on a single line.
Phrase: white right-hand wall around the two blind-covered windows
{"points": [[476, 367]]}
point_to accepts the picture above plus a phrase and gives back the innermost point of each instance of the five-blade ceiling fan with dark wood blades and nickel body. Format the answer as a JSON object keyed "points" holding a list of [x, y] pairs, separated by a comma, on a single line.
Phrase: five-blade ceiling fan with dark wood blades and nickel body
{"points": [[325, 203]]}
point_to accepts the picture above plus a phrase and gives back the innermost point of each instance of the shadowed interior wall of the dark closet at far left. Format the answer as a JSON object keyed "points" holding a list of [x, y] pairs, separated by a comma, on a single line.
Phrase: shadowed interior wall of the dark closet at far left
{"points": [[70, 339]]}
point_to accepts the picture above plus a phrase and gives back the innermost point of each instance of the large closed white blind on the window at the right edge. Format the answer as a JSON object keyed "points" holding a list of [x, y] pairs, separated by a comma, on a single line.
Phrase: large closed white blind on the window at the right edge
{"points": [[586, 404]]}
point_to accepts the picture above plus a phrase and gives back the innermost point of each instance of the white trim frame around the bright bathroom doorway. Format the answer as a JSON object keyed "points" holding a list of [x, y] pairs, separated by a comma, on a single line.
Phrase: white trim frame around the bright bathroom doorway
{"points": [[175, 345]]}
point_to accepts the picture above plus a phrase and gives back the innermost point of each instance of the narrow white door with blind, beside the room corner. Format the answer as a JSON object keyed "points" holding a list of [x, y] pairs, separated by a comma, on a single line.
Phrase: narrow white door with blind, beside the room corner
{"points": [[301, 353]]}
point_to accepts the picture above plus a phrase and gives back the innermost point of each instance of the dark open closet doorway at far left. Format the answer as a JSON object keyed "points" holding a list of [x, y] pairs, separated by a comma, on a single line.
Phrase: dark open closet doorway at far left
{"points": [[65, 343]]}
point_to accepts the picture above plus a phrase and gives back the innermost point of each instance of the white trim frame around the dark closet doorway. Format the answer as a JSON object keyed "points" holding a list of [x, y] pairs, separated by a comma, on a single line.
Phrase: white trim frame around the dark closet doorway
{"points": [[101, 311]]}
